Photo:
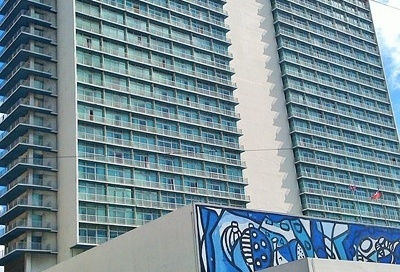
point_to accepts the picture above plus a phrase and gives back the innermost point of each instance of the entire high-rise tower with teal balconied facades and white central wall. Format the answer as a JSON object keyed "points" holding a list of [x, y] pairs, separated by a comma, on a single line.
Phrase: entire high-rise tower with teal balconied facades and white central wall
{"points": [[116, 112]]}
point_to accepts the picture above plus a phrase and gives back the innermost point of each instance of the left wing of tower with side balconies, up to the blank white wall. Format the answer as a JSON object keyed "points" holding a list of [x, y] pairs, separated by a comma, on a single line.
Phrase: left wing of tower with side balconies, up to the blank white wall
{"points": [[115, 113]]}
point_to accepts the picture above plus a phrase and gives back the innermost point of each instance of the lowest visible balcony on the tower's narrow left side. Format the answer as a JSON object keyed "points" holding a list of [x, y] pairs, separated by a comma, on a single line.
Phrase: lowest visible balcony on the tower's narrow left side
{"points": [[14, 251]]}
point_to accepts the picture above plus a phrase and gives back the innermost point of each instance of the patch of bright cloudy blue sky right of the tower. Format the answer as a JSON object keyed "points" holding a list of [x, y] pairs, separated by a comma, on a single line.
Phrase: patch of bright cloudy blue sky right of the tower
{"points": [[387, 25]]}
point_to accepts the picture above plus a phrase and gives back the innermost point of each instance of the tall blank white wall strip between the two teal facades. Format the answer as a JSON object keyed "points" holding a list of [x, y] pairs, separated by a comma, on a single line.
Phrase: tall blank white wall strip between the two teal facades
{"points": [[269, 158]]}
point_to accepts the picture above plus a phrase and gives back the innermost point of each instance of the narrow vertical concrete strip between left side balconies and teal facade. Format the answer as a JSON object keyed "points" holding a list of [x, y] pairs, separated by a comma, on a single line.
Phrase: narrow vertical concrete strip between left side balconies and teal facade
{"points": [[67, 131]]}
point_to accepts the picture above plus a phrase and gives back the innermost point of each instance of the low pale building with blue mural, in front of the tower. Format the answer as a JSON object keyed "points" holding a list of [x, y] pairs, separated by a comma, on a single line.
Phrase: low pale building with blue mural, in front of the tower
{"points": [[217, 239]]}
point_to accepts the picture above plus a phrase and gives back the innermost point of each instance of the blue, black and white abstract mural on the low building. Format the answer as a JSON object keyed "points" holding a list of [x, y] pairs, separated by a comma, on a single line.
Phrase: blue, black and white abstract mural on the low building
{"points": [[244, 240]]}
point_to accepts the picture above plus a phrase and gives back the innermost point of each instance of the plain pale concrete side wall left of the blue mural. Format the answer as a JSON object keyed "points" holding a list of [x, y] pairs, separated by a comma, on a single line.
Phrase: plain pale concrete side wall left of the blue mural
{"points": [[166, 244]]}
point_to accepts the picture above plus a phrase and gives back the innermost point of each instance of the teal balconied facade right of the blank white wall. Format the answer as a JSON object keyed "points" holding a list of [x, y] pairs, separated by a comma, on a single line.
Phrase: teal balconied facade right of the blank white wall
{"points": [[344, 137]]}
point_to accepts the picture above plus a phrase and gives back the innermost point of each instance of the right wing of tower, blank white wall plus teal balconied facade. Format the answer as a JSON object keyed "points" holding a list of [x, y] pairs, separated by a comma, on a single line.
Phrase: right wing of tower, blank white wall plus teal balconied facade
{"points": [[324, 124]]}
